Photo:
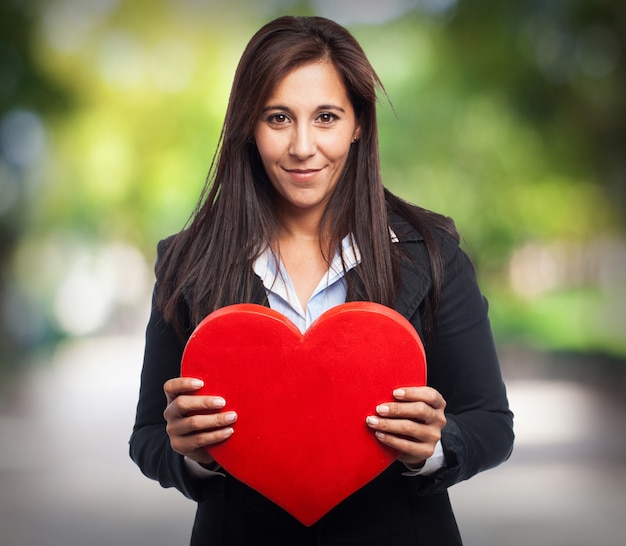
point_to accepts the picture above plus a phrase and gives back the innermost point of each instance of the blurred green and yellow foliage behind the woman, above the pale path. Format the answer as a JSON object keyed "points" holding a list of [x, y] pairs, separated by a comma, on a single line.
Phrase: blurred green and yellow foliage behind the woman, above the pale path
{"points": [[508, 116]]}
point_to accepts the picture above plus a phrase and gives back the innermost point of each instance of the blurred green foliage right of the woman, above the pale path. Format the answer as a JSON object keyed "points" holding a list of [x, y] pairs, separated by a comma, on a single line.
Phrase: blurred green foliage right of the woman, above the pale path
{"points": [[511, 118]]}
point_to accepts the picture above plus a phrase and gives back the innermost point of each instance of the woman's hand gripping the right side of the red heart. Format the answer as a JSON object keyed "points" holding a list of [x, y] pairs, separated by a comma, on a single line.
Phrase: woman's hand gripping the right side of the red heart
{"points": [[411, 424]]}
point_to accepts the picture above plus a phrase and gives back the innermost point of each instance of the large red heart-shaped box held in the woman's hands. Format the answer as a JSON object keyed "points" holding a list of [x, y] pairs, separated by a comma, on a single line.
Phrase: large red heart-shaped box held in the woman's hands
{"points": [[300, 438]]}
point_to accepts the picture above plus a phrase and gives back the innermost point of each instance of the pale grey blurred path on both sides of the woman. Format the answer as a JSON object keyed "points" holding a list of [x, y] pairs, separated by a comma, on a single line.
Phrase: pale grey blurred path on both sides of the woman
{"points": [[66, 478]]}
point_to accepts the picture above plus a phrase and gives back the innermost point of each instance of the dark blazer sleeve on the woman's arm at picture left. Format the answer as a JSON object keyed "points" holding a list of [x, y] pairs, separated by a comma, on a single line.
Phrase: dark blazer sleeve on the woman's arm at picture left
{"points": [[150, 447]]}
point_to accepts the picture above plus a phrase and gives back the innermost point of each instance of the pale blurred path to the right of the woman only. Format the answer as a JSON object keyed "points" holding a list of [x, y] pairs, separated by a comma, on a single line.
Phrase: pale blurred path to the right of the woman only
{"points": [[565, 484]]}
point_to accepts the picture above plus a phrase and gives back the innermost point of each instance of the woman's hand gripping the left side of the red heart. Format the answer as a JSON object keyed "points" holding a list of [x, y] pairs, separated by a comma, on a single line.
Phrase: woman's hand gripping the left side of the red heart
{"points": [[193, 421]]}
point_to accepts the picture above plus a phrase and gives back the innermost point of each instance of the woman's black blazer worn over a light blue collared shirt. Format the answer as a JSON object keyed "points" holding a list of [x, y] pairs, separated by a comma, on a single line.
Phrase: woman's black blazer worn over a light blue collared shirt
{"points": [[393, 509]]}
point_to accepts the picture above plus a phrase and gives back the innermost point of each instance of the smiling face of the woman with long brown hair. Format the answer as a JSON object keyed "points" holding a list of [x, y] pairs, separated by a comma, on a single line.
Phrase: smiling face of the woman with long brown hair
{"points": [[304, 135]]}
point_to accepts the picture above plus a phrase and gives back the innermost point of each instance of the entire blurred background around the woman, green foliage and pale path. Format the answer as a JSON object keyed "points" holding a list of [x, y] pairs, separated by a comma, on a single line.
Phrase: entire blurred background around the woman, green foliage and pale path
{"points": [[509, 117]]}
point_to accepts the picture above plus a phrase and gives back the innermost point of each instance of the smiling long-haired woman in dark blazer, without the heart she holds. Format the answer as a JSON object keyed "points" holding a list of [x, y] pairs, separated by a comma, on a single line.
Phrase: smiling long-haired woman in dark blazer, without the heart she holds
{"points": [[295, 194]]}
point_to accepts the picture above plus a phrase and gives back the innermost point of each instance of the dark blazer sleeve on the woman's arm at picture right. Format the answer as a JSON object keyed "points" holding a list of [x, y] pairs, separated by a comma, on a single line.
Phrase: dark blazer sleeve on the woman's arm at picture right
{"points": [[463, 366]]}
